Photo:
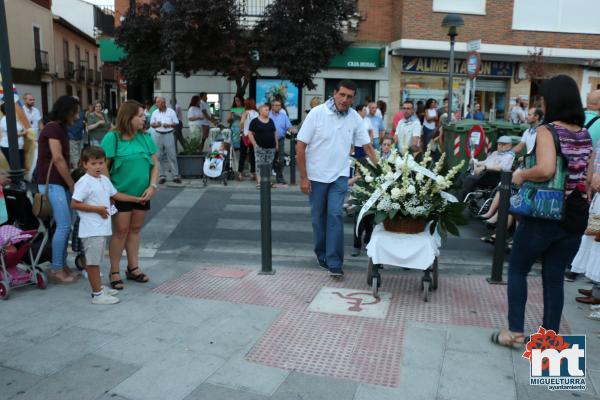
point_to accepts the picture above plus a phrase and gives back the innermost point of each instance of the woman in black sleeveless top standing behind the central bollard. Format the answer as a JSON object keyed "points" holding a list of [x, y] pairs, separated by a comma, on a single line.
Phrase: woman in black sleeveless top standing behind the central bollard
{"points": [[263, 135]]}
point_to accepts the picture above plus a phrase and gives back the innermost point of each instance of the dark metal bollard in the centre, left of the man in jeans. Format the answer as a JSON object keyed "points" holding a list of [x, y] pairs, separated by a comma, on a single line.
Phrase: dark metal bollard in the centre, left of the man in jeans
{"points": [[265, 220]]}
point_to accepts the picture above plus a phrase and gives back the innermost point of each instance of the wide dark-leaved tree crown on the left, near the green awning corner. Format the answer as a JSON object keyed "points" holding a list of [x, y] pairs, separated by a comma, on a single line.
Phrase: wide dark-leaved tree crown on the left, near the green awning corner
{"points": [[192, 35]]}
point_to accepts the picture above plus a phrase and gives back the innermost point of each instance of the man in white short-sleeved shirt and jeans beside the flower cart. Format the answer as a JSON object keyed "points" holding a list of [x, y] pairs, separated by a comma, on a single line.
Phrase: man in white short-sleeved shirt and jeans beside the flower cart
{"points": [[323, 155]]}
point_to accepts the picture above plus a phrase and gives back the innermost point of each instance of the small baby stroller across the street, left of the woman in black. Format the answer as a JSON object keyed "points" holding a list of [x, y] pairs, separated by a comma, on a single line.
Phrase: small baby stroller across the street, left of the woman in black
{"points": [[217, 164]]}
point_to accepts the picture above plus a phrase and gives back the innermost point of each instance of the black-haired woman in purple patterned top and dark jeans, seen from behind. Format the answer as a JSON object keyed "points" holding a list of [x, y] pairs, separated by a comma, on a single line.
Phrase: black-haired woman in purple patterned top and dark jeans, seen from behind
{"points": [[554, 242]]}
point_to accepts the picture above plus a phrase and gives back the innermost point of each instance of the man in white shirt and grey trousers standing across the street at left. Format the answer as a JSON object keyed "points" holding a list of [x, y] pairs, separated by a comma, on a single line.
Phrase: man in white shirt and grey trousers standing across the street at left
{"points": [[164, 121]]}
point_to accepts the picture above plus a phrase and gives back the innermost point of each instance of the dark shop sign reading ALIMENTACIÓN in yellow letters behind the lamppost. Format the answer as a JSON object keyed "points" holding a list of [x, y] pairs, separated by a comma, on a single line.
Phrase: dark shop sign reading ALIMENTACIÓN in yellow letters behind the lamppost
{"points": [[440, 66]]}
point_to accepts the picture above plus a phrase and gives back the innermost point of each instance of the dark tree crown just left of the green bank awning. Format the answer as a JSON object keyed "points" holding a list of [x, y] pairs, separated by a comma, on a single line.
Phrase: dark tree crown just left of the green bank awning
{"points": [[301, 36]]}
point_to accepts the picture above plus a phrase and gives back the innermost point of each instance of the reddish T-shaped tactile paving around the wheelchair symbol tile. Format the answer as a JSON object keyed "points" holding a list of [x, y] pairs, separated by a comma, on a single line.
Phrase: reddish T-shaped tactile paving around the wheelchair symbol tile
{"points": [[361, 349]]}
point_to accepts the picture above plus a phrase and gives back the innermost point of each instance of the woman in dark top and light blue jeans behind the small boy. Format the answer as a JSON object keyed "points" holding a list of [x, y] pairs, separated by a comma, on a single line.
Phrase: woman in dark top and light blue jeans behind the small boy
{"points": [[53, 154]]}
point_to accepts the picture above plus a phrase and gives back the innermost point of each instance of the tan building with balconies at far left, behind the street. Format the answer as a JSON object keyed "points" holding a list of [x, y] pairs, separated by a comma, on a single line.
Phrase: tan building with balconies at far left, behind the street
{"points": [[77, 63]]}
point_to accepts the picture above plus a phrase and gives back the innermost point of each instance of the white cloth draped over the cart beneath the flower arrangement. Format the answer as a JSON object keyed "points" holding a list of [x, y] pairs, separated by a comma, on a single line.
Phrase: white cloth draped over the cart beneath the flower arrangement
{"points": [[415, 251]]}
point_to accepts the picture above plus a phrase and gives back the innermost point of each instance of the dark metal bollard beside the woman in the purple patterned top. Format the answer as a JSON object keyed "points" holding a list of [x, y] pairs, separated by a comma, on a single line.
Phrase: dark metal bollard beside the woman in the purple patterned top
{"points": [[501, 230]]}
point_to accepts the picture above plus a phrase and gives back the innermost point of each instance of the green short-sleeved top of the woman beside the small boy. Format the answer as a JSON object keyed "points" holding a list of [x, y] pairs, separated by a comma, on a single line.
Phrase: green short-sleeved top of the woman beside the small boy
{"points": [[131, 167]]}
